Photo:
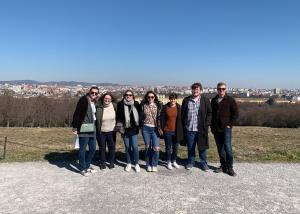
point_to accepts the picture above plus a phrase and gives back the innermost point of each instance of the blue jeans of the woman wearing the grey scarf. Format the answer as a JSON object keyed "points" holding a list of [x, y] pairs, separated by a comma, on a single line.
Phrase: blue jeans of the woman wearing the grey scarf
{"points": [[131, 141]]}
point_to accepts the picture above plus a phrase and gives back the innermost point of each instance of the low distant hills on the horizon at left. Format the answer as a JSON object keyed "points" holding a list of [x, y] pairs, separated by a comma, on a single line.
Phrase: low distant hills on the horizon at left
{"points": [[61, 83]]}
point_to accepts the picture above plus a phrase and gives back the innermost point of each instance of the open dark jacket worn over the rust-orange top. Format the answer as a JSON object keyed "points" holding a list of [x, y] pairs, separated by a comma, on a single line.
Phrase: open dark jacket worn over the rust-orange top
{"points": [[179, 128]]}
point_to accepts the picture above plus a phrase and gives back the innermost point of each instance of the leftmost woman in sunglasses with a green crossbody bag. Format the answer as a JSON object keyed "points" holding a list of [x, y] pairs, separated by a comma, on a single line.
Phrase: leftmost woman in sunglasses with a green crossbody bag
{"points": [[83, 116]]}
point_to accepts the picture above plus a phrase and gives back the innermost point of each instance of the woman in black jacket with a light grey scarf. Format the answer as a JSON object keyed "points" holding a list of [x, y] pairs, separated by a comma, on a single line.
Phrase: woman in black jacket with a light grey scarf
{"points": [[128, 125]]}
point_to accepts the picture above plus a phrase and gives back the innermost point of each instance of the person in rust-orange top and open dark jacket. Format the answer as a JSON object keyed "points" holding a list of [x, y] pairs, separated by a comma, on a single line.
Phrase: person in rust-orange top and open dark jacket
{"points": [[172, 127]]}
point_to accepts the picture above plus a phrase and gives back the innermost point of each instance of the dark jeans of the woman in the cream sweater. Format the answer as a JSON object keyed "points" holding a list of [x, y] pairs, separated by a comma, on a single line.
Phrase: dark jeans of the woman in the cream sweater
{"points": [[103, 139]]}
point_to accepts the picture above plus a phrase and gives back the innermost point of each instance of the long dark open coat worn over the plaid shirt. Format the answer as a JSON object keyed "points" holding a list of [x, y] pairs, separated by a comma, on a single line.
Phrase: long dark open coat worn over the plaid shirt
{"points": [[204, 120]]}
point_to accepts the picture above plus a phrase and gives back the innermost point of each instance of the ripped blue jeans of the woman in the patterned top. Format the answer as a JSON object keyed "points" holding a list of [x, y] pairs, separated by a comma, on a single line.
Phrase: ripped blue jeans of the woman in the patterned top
{"points": [[151, 140]]}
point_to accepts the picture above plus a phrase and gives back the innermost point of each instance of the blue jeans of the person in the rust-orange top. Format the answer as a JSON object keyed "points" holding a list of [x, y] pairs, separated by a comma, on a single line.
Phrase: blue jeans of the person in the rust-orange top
{"points": [[171, 141]]}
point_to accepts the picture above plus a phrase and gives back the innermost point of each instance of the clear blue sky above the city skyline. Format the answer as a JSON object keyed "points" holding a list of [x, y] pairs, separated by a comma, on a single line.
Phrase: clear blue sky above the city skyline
{"points": [[247, 43]]}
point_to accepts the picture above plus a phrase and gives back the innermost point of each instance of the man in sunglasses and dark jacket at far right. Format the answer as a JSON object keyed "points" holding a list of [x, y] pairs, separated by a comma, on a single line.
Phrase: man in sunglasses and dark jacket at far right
{"points": [[225, 113]]}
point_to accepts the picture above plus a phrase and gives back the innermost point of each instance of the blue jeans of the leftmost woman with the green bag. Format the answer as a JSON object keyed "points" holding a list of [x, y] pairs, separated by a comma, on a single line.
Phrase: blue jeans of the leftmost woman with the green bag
{"points": [[85, 160]]}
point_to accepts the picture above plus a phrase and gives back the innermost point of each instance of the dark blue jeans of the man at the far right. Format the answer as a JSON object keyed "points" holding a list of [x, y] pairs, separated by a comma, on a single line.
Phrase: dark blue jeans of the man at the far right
{"points": [[223, 141]]}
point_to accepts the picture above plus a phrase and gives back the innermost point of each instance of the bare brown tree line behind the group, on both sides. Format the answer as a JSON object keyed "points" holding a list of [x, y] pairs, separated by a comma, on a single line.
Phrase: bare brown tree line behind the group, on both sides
{"points": [[58, 112]]}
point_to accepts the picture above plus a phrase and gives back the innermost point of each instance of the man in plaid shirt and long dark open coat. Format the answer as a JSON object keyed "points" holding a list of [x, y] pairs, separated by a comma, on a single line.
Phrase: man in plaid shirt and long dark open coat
{"points": [[196, 117]]}
